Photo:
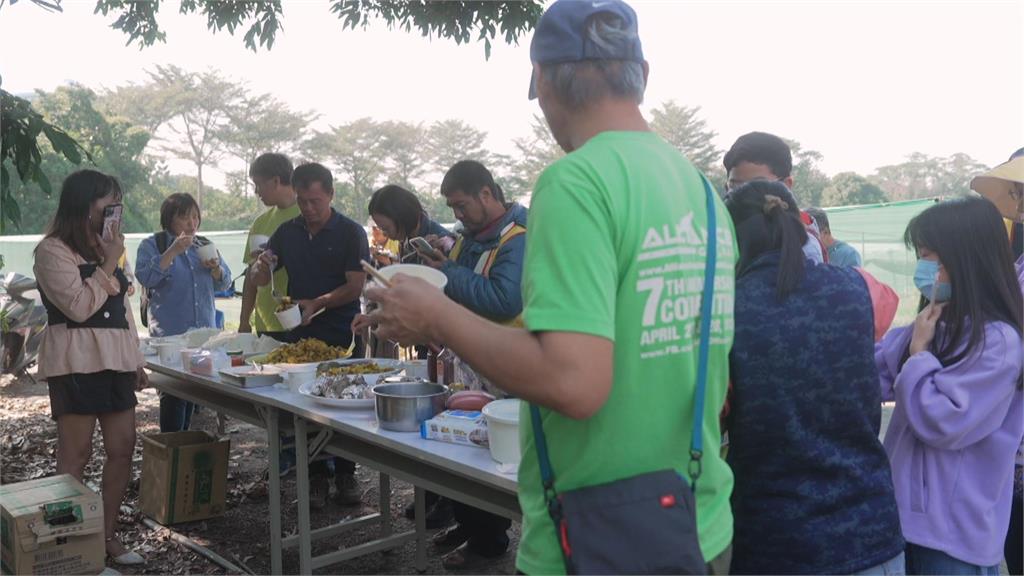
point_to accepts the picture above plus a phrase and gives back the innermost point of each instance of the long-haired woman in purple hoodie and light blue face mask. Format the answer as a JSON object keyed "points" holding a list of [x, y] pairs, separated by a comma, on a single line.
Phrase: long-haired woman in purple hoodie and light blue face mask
{"points": [[956, 378]]}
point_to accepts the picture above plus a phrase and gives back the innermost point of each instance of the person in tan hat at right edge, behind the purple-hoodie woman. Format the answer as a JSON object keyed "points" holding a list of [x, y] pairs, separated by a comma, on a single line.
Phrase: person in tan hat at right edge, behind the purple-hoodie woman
{"points": [[1005, 187]]}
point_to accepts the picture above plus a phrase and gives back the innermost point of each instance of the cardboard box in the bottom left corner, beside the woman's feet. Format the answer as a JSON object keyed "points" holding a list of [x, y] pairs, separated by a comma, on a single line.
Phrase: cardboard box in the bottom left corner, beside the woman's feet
{"points": [[52, 526]]}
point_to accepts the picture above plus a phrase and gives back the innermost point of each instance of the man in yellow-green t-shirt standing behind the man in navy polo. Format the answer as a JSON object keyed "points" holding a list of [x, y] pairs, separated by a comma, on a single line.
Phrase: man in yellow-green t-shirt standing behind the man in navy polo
{"points": [[272, 174]]}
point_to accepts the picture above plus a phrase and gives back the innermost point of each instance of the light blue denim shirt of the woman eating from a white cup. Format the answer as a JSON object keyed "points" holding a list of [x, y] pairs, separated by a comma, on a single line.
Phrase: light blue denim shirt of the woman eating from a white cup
{"points": [[182, 297]]}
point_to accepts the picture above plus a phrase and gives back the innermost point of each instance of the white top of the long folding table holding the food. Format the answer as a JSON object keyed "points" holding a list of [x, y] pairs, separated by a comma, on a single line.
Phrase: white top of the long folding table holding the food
{"points": [[470, 462]]}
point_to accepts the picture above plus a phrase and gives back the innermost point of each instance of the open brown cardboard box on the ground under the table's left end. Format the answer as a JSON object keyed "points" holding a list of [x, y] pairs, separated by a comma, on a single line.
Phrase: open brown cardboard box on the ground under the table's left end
{"points": [[185, 476]]}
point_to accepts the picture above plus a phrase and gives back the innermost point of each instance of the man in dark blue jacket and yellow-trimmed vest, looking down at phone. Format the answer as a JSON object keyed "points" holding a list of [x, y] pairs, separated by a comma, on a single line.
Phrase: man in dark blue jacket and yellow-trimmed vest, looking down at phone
{"points": [[485, 270]]}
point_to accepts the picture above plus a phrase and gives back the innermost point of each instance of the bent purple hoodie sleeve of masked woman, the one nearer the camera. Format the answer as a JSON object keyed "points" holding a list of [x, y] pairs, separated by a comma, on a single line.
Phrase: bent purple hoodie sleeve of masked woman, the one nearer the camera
{"points": [[954, 407]]}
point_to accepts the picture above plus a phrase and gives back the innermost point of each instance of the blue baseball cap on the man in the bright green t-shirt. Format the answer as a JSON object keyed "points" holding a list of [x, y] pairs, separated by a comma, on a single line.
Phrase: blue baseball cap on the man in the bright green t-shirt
{"points": [[562, 35]]}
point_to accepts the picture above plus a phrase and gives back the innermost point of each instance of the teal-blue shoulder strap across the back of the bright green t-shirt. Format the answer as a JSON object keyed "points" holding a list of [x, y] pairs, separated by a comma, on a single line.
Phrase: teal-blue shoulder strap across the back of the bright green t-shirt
{"points": [[697, 442]]}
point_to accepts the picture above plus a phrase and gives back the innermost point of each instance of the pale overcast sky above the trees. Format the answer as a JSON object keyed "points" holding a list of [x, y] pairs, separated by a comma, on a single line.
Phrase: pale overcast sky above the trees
{"points": [[865, 84]]}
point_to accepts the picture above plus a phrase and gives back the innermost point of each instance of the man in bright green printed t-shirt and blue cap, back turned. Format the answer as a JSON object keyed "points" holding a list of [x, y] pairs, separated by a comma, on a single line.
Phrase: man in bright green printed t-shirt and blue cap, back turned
{"points": [[613, 286]]}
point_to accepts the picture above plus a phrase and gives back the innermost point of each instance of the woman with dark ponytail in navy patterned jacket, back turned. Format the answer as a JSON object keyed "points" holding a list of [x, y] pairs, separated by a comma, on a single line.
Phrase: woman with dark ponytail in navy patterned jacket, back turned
{"points": [[814, 490]]}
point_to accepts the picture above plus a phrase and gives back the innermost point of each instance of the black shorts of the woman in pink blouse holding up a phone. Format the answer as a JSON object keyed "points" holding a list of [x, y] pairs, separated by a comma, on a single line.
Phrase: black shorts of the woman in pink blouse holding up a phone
{"points": [[97, 393]]}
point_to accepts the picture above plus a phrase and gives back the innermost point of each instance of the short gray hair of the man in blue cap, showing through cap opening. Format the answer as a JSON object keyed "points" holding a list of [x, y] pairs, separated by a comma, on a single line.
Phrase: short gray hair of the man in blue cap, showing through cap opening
{"points": [[579, 85]]}
